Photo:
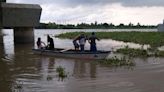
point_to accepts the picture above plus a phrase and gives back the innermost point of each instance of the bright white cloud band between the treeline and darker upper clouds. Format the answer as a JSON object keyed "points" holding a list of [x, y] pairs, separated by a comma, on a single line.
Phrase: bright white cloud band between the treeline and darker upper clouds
{"points": [[115, 13]]}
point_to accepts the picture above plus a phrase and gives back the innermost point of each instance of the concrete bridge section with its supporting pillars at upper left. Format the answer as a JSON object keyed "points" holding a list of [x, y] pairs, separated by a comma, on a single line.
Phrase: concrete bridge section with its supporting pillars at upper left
{"points": [[22, 18]]}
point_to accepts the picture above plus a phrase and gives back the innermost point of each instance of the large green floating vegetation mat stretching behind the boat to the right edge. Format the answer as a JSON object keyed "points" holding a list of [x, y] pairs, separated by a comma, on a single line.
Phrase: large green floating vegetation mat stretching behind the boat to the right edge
{"points": [[154, 39]]}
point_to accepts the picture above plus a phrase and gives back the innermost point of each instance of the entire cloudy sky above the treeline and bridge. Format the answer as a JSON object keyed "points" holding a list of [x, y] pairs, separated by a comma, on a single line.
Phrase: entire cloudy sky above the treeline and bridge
{"points": [[147, 12]]}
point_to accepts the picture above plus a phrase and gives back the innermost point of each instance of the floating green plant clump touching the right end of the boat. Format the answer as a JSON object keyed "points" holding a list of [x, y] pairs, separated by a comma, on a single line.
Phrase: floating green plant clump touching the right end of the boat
{"points": [[116, 62]]}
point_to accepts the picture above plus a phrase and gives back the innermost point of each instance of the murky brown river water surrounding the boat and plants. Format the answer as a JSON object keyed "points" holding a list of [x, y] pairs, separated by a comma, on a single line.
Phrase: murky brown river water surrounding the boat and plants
{"points": [[22, 71]]}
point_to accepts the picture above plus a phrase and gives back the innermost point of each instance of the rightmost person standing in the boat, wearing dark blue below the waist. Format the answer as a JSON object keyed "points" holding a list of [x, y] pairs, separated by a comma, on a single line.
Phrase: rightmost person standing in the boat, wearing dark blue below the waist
{"points": [[92, 41]]}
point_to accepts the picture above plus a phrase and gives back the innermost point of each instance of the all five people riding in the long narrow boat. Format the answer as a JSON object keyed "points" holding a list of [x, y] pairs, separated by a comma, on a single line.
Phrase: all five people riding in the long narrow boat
{"points": [[78, 42]]}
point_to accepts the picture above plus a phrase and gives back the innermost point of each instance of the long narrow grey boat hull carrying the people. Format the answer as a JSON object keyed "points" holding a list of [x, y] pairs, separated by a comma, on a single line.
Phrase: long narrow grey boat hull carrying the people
{"points": [[73, 53]]}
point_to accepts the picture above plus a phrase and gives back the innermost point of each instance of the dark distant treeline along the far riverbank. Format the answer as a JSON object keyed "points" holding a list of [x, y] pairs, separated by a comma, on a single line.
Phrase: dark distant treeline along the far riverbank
{"points": [[92, 26]]}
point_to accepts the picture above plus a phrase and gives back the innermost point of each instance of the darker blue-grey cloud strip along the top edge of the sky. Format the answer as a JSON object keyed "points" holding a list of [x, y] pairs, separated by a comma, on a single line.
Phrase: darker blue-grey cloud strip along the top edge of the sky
{"points": [[74, 3]]}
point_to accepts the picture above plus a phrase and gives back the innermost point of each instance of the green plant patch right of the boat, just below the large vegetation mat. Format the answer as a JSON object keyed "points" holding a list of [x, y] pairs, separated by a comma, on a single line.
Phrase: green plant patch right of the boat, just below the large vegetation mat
{"points": [[133, 52]]}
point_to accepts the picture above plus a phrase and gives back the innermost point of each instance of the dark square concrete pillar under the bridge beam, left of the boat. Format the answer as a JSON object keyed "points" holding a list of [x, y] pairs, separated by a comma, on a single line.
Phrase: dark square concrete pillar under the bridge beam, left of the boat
{"points": [[23, 35]]}
